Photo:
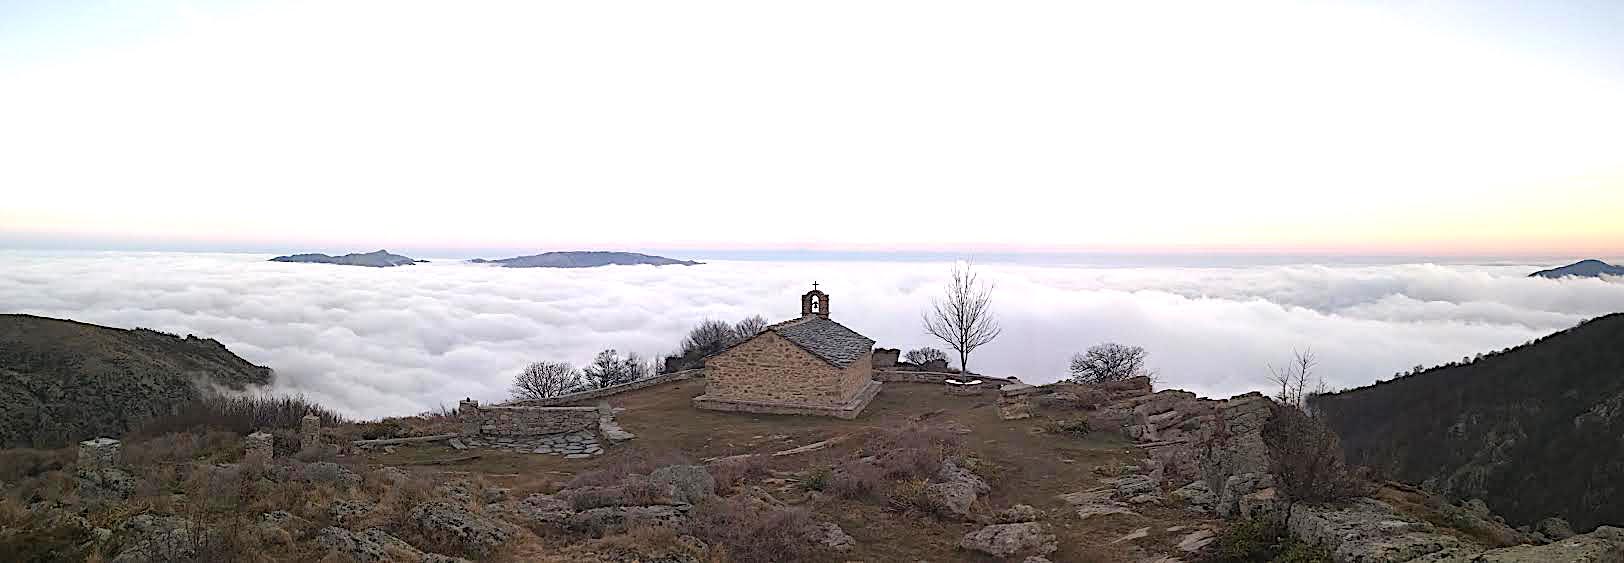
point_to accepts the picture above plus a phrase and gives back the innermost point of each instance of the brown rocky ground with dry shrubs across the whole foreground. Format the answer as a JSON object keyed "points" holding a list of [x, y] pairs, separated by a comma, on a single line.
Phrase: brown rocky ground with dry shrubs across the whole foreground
{"points": [[1053, 475]]}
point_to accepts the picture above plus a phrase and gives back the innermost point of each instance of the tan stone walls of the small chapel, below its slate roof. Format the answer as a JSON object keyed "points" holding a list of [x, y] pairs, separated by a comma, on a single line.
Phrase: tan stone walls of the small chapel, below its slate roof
{"points": [[771, 369]]}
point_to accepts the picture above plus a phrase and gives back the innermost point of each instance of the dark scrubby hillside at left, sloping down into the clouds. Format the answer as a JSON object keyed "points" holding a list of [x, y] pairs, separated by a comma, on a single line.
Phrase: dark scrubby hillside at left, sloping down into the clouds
{"points": [[64, 380]]}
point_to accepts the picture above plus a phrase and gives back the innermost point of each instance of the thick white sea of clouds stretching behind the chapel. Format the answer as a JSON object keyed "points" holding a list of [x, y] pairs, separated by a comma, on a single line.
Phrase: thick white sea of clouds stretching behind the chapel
{"points": [[391, 342]]}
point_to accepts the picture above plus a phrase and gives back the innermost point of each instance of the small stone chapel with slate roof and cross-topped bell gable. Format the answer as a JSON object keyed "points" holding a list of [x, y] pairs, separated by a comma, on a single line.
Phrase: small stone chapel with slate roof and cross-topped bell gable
{"points": [[806, 366]]}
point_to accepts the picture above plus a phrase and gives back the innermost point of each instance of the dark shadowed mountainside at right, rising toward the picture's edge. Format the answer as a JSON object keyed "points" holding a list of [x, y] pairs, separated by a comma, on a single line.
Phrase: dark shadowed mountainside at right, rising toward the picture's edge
{"points": [[1532, 431]]}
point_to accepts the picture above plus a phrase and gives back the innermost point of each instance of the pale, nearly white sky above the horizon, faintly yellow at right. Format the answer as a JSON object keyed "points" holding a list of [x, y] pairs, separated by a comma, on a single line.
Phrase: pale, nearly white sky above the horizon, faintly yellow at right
{"points": [[1449, 127]]}
